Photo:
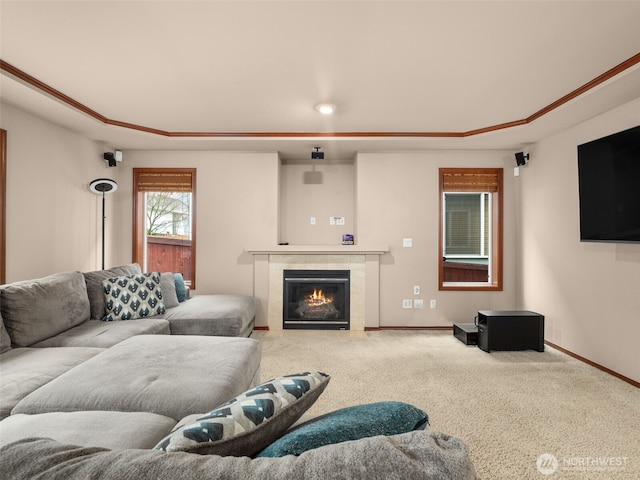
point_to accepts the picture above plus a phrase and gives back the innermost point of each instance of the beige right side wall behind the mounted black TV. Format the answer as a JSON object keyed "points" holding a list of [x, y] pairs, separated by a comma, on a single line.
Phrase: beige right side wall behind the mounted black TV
{"points": [[588, 292]]}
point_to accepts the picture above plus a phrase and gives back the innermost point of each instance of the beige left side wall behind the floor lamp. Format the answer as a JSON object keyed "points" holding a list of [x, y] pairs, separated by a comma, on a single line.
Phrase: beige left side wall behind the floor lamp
{"points": [[53, 220]]}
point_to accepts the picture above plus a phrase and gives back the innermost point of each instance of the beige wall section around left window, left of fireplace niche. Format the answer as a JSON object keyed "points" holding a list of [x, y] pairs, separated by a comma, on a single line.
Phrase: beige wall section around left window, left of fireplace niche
{"points": [[237, 202]]}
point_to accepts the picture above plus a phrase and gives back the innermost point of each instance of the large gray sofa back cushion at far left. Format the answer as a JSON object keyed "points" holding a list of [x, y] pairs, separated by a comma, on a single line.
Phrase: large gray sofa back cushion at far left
{"points": [[33, 310]]}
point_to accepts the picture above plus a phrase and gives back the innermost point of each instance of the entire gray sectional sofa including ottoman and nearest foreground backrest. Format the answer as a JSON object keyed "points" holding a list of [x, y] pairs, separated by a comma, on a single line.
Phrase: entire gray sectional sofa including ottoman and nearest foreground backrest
{"points": [[85, 398]]}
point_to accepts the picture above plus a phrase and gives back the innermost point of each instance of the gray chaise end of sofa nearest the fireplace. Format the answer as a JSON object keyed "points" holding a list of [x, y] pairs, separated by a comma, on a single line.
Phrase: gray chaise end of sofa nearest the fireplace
{"points": [[223, 315]]}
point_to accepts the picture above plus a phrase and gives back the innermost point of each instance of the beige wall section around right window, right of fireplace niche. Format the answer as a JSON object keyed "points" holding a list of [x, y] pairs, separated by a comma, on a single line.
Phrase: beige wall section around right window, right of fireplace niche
{"points": [[397, 197]]}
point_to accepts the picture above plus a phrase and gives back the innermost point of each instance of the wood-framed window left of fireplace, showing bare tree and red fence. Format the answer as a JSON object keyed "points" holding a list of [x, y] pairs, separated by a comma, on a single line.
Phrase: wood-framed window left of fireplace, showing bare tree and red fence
{"points": [[164, 220]]}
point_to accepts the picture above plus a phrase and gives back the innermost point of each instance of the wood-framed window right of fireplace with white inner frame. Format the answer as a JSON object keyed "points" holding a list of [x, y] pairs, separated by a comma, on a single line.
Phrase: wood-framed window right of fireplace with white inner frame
{"points": [[470, 243]]}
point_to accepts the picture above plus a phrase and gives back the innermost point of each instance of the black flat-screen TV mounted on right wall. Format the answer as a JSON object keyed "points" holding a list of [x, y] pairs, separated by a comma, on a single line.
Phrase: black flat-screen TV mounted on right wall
{"points": [[609, 186]]}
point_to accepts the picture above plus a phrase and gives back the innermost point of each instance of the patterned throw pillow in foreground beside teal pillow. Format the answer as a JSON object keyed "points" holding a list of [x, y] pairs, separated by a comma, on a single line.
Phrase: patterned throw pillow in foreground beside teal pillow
{"points": [[246, 424]]}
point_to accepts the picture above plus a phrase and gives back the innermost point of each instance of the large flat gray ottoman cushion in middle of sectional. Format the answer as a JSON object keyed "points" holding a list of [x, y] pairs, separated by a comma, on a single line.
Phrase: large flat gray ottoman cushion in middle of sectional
{"points": [[169, 375]]}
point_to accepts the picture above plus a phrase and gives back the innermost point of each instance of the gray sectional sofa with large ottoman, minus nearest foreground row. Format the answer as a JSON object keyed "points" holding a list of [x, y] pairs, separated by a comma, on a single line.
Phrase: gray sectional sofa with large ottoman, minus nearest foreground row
{"points": [[56, 349]]}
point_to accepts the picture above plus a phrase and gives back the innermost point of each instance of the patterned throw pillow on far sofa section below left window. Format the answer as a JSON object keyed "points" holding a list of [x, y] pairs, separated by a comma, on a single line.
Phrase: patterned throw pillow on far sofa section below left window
{"points": [[132, 296]]}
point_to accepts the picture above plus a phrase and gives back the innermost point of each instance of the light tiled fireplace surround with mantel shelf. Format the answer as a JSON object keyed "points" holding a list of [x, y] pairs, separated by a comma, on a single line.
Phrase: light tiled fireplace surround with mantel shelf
{"points": [[364, 265]]}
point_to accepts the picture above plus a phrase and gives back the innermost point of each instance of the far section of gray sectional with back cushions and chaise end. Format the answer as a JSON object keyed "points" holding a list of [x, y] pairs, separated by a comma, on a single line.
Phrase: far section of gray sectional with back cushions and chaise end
{"points": [[66, 310]]}
